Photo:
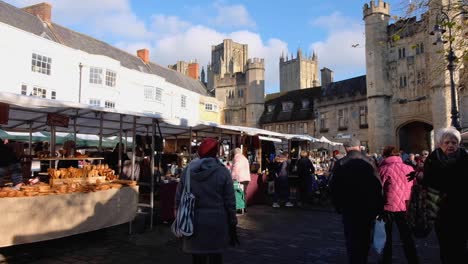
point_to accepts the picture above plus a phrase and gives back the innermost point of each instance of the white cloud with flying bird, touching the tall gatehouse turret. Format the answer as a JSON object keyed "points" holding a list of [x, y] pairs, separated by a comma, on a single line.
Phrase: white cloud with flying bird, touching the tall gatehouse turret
{"points": [[336, 52]]}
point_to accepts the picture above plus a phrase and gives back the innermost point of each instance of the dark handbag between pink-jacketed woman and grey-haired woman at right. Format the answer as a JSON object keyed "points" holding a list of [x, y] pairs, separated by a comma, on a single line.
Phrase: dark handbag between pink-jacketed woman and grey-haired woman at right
{"points": [[422, 210]]}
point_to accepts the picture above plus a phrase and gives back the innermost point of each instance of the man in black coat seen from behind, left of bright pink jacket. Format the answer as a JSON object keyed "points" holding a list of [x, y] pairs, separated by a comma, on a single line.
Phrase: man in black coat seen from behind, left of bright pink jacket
{"points": [[356, 193]]}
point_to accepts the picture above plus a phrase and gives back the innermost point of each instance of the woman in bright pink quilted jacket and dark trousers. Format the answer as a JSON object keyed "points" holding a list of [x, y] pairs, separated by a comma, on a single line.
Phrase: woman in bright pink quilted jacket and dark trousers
{"points": [[397, 191]]}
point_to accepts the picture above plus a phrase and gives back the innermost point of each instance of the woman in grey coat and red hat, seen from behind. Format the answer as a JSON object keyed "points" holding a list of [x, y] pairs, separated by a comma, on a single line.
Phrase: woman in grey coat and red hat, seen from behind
{"points": [[215, 206]]}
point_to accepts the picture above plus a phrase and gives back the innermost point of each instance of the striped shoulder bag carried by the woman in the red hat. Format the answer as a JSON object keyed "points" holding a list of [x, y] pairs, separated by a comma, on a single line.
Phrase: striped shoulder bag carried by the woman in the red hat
{"points": [[183, 223]]}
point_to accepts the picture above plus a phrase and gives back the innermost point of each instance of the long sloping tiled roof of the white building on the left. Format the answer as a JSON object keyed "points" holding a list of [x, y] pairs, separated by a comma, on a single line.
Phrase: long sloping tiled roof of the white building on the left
{"points": [[25, 21]]}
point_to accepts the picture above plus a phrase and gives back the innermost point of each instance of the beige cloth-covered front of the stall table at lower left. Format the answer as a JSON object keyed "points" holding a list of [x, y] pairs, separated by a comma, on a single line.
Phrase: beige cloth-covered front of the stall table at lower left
{"points": [[39, 218]]}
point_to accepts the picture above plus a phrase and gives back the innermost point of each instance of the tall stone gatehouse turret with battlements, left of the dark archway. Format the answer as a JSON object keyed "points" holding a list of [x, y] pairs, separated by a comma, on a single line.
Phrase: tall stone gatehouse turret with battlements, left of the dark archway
{"points": [[379, 90]]}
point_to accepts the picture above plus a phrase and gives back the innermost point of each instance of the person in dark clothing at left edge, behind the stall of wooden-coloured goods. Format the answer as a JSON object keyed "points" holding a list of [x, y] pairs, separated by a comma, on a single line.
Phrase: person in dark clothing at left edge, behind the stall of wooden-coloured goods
{"points": [[10, 164]]}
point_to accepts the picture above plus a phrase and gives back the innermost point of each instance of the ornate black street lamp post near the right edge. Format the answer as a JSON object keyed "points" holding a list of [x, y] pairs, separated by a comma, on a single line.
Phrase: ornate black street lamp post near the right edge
{"points": [[444, 20]]}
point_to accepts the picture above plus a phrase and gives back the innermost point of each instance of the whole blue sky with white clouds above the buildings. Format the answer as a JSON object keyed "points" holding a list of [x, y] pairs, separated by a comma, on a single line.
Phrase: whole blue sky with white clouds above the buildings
{"points": [[185, 30]]}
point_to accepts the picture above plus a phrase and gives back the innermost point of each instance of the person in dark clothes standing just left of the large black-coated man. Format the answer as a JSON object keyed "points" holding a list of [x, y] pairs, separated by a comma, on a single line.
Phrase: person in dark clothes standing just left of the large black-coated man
{"points": [[305, 171]]}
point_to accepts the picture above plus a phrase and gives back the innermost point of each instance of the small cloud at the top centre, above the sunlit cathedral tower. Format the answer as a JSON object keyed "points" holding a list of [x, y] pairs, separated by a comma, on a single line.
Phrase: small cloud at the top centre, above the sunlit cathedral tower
{"points": [[232, 16]]}
